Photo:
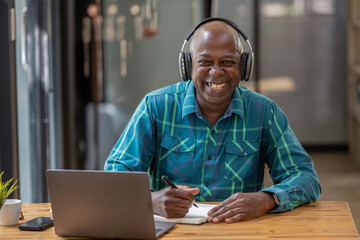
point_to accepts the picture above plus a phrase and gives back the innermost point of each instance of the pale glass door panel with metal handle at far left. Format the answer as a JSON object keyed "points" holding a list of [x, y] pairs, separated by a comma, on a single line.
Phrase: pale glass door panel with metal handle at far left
{"points": [[35, 109]]}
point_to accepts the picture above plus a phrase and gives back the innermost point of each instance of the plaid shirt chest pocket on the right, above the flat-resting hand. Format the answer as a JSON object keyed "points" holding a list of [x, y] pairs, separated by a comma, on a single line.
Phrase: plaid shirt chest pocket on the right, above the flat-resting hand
{"points": [[242, 161]]}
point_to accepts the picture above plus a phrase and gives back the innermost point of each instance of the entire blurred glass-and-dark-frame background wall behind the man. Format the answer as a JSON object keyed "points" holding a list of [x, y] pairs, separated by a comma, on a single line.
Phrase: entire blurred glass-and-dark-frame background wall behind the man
{"points": [[79, 69]]}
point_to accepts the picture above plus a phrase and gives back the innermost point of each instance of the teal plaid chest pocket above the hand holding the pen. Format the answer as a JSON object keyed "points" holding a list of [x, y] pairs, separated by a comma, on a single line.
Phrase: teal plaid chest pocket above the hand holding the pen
{"points": [[176, 156]]}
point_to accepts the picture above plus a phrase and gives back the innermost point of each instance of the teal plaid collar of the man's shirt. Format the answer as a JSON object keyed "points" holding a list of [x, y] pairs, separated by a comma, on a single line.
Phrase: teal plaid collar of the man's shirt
{"points": [[236, 105]]}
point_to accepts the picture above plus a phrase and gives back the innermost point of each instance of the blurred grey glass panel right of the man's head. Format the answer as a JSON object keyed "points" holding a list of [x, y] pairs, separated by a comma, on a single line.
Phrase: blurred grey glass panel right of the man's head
{"points": [[301, 61]]}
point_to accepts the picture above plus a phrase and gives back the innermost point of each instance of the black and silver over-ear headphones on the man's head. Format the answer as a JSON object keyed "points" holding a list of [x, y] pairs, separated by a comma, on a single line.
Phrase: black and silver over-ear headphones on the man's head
{"points": [[246, 58]]}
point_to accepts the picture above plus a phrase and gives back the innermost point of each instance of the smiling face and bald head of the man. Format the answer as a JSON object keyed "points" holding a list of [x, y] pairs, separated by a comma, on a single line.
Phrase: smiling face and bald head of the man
{"points": [[215, 67]]}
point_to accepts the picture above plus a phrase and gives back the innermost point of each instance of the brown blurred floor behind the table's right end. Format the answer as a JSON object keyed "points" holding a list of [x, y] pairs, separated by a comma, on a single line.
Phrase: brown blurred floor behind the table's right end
{"points": [[339, 179]]}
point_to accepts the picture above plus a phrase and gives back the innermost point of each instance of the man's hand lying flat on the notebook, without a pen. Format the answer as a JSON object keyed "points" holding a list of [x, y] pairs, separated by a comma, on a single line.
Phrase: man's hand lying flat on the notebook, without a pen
{"points": [[242, 206]]}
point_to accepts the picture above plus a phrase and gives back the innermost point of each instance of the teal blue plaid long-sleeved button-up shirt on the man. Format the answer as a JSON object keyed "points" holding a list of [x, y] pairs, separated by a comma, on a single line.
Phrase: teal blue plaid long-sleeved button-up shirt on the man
{"points": [[168, 135]]}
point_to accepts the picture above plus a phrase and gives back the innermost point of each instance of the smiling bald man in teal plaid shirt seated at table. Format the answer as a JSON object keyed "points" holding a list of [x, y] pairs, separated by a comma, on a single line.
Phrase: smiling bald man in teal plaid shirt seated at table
{"points": [[213, 137]]}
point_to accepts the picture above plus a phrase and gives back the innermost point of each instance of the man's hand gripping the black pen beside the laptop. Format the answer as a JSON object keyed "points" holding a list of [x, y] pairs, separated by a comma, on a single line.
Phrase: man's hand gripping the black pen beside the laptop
{"points": [[173, 202]]}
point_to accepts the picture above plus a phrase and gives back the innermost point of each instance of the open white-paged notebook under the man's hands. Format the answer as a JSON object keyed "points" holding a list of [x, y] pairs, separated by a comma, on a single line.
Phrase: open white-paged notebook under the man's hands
{"points": [[194, 216]]}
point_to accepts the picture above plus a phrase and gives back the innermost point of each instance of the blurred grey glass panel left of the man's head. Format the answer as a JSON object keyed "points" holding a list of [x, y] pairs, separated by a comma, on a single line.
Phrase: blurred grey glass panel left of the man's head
{"points": [[141, 43]]}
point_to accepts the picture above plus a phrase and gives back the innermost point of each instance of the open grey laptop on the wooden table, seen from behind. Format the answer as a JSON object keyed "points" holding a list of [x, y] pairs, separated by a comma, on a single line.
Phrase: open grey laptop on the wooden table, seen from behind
{"points": [[103, 204]]}
